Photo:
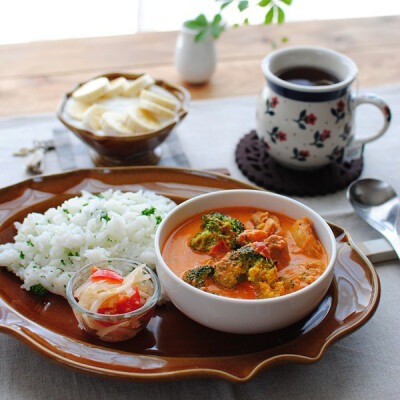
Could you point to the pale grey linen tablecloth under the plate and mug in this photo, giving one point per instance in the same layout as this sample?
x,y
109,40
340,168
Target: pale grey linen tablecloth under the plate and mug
x,y
364,365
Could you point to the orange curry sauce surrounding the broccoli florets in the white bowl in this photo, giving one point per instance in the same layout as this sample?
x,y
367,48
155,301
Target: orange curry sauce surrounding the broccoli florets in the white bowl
x,y
307,258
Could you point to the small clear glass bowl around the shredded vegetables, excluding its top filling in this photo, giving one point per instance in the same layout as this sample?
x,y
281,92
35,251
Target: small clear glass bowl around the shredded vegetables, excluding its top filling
x,y
115,327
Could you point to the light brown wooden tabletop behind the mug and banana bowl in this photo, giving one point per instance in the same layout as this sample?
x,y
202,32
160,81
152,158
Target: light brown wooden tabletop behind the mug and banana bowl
x,y
34,76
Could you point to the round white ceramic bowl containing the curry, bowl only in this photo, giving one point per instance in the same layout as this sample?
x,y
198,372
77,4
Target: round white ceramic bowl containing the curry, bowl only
x,y
240,315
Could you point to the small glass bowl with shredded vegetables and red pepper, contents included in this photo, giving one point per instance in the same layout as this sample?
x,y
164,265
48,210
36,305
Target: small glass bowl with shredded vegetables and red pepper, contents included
x,y
110,305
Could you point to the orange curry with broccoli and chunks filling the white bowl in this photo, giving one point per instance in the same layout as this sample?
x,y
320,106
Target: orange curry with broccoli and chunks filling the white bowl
x,y
246,253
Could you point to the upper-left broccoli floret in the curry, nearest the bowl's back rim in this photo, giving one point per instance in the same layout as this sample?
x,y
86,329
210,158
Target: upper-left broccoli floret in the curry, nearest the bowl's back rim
x,y
216,226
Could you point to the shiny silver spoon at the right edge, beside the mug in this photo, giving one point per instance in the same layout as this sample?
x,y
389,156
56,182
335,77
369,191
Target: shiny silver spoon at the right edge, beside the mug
x,y
377,203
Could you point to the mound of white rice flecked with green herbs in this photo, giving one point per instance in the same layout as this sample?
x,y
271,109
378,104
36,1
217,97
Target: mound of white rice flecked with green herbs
x,y
50,247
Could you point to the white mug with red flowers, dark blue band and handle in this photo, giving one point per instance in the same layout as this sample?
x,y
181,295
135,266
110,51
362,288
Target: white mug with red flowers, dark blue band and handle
x,y
308,127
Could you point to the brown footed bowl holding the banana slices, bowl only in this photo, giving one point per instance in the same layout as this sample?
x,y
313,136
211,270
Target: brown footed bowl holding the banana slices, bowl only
x,y
127,150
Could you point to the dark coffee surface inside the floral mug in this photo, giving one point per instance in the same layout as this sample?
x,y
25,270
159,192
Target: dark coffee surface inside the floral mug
x,y
307,76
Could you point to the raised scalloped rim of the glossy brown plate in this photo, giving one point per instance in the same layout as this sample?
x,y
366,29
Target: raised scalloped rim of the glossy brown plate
x,y
366,314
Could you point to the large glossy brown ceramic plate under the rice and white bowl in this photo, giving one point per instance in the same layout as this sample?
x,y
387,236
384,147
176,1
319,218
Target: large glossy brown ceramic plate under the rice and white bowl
x,y
172,346
